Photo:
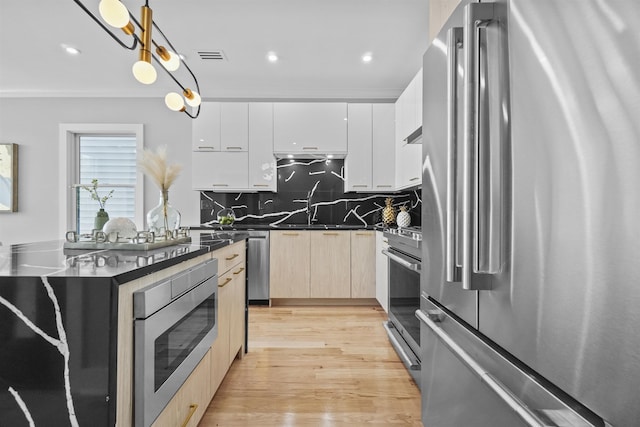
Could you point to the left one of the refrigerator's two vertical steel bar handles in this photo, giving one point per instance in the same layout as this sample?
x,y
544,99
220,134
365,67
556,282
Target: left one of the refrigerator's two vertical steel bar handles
x,y
454,43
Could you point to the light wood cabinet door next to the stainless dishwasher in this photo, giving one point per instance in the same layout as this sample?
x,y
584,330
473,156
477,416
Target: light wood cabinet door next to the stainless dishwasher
x,y
289,264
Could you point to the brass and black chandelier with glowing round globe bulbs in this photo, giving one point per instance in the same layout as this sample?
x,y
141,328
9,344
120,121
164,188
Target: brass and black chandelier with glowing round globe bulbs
x,y
116,15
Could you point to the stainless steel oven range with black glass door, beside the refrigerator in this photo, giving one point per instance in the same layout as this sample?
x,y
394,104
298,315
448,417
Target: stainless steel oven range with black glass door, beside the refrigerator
x,y
403,328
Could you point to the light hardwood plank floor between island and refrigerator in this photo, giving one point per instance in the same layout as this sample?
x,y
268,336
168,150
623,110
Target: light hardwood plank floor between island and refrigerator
x,y
316,366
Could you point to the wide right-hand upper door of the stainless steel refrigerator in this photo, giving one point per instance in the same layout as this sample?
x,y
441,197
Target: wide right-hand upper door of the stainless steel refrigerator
x,y
564,299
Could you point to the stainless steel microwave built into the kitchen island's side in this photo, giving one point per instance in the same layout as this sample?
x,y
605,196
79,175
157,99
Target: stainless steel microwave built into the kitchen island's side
x,y
176,323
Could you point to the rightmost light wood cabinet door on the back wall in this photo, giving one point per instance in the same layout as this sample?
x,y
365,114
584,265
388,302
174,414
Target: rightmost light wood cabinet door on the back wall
x,y
363,264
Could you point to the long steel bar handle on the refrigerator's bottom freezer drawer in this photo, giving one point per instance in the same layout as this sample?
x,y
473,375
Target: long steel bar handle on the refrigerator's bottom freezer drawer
x,y
496,386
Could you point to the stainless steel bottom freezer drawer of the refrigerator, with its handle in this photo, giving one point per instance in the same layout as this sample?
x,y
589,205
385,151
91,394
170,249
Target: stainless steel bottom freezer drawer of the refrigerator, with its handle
x,y
472,384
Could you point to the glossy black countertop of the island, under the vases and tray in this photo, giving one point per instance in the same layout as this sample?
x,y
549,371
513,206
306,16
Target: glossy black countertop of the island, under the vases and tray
x,y
50,258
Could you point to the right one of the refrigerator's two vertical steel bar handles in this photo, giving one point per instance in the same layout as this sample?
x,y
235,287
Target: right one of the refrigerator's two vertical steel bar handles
x,y
476,15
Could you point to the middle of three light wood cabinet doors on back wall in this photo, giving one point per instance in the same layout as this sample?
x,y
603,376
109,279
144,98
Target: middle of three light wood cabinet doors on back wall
x,y
330,264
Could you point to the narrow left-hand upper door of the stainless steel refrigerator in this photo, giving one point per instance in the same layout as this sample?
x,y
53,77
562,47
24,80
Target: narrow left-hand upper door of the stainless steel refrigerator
x,y
442,171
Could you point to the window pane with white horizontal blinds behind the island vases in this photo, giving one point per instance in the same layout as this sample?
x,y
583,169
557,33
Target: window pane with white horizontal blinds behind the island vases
x,y
112,161
